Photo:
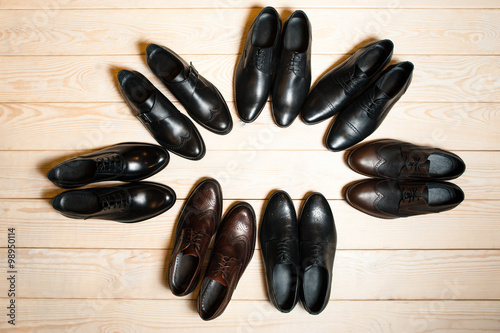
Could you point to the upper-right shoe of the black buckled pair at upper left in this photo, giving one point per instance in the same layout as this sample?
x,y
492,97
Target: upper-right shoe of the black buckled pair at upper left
x,y
201,99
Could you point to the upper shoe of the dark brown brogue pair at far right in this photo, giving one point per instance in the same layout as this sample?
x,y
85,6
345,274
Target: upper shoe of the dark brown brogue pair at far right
x,y
405,161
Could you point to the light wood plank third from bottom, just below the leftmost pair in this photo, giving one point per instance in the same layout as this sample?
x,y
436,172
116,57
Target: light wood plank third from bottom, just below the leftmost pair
x,y
39,226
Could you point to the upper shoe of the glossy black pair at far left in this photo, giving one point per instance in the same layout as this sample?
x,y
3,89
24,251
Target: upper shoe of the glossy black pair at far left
x,y
125,162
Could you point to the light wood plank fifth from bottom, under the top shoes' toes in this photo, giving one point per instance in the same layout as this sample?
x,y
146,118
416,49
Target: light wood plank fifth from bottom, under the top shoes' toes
x,y
89,125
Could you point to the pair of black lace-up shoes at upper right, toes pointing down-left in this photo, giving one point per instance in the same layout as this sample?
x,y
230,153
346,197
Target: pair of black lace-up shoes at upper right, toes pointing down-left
x,y
360,92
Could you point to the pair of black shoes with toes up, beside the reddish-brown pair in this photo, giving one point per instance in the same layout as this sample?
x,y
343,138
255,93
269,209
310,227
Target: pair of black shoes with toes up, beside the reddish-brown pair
x,y
298,252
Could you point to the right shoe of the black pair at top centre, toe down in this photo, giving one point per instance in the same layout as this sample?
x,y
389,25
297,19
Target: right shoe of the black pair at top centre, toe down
x,y
293,75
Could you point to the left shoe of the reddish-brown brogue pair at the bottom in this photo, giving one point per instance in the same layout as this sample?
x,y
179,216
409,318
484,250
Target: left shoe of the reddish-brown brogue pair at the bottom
x,y
197,224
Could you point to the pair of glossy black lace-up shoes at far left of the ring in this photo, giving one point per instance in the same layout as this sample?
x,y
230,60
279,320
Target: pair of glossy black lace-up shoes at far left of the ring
x,y
128,203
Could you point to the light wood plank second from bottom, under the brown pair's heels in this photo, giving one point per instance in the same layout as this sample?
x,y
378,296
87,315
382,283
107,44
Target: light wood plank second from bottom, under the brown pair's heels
x,y
358,275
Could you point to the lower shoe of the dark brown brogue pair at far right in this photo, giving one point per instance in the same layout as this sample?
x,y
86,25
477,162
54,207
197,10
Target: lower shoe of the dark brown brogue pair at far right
x,y
389,199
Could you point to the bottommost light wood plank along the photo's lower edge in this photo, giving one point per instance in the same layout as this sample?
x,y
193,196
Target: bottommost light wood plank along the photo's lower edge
x,y
61,315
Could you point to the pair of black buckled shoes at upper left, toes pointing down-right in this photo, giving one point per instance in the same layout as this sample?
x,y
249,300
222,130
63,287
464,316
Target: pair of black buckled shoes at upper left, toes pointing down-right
x,y
171,128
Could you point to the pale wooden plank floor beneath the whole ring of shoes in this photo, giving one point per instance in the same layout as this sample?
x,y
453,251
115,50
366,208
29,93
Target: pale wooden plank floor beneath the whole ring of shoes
x,y
59,98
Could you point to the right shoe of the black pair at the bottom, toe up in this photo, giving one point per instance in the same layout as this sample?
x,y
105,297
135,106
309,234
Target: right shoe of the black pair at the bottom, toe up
x,y
318,242
